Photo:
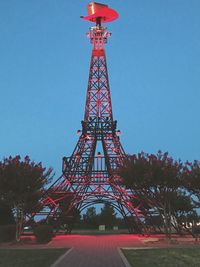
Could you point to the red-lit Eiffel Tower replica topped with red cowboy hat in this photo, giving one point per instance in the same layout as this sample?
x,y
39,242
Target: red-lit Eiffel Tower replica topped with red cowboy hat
x,y
90,175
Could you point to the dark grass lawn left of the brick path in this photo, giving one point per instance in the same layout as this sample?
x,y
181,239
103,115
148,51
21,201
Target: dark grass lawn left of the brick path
x,y
29,257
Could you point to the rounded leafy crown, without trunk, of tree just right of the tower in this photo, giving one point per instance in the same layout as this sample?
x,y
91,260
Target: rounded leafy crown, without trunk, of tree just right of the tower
x,y
151,172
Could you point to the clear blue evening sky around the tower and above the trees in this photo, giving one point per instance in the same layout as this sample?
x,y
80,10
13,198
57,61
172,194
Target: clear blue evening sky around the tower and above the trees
x,y
153,61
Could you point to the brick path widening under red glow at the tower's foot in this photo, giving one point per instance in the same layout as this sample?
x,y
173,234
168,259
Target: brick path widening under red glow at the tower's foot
x,y
94,251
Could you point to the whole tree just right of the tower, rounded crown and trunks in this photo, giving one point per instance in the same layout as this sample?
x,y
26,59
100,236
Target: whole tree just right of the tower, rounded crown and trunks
x,y
155,179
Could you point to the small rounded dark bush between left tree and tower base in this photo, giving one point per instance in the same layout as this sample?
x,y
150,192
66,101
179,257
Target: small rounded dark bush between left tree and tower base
x,y
43,233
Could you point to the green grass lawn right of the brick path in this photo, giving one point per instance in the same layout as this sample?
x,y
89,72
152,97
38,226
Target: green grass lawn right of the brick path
x,y
165,257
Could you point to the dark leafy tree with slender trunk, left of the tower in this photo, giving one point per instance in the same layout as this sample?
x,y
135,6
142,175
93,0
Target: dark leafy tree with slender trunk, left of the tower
x,y
22,183
